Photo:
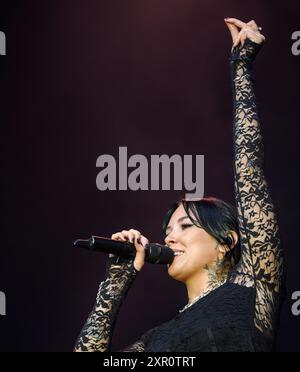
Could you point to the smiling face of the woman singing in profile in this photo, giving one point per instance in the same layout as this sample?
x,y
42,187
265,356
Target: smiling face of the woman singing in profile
x,y
200,248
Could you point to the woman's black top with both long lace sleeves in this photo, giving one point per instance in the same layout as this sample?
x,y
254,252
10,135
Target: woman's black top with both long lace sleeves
x,y
241,314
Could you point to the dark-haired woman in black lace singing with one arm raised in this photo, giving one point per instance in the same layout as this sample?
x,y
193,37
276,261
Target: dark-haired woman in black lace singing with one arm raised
x,y
229,258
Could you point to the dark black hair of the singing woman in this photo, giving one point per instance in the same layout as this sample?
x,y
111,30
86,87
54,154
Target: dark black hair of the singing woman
x,y
213,215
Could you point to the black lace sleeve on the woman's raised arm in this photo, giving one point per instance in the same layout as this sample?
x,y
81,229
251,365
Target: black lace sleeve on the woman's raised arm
x,y
261,264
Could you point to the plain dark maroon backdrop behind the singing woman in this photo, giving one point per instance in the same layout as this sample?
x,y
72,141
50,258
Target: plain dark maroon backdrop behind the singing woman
x,y
82,78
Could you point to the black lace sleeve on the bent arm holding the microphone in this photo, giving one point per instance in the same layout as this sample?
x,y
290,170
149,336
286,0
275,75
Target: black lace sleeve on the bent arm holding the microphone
x,y
97,332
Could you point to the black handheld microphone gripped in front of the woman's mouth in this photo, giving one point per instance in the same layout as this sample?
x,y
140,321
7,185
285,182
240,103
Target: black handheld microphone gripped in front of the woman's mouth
x,y
154,253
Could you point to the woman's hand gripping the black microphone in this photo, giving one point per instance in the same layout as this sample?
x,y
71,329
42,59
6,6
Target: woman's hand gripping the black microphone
x,y
140,241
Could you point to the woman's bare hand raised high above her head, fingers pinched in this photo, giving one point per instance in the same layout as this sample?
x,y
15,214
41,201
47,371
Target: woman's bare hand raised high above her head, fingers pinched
x,y
240,31
